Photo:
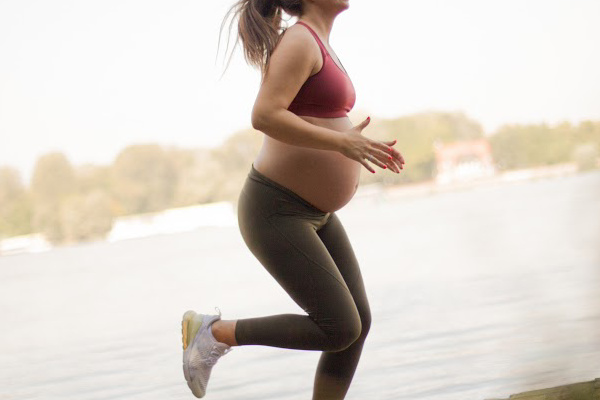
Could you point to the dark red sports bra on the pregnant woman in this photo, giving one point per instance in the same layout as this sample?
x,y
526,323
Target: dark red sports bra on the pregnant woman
x,y
329,93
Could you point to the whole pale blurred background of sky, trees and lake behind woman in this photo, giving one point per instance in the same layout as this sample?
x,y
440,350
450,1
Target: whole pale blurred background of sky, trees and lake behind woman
x,y
123,148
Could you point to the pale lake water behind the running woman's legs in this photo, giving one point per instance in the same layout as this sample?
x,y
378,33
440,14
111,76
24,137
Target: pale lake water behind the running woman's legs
x,y
475,293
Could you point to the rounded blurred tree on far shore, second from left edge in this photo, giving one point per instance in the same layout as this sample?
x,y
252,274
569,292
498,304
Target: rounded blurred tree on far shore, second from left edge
x,y
52,182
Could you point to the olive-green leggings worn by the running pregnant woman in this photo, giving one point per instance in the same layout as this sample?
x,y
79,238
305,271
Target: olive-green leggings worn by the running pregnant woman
x,y
308,253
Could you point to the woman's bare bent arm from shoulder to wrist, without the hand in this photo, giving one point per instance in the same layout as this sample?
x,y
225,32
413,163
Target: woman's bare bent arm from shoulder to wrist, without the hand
x,y
289,66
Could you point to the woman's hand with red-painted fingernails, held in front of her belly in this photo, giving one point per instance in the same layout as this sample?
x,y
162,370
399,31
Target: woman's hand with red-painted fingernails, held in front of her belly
x,y
360,148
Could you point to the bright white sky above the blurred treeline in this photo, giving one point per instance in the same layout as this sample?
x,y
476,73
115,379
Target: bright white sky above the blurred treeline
x,y
89,78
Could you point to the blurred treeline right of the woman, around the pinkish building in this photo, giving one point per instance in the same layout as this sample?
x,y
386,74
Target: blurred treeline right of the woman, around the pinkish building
x,y
513,146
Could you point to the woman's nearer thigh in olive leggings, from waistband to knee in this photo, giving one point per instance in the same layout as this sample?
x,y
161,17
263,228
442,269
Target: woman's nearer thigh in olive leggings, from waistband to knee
x,y
283,237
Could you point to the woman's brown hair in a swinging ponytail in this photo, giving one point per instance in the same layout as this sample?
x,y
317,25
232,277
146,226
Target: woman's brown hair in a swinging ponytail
x,y
259,27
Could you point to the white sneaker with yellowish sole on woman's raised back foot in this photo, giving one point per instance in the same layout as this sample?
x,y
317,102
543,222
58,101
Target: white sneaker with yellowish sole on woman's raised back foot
x,y
201,350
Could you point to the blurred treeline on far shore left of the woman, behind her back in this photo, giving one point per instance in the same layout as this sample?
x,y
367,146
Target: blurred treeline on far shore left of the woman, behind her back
x,y
69,204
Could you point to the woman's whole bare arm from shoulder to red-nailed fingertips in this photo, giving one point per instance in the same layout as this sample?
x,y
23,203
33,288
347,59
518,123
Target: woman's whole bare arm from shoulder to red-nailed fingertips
x,y
290,65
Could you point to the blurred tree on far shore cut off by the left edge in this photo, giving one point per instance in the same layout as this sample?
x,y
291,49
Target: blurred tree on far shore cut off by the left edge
x,y
15,205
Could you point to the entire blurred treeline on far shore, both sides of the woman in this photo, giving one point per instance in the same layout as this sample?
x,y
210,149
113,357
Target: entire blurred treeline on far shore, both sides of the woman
x,y
72,204
